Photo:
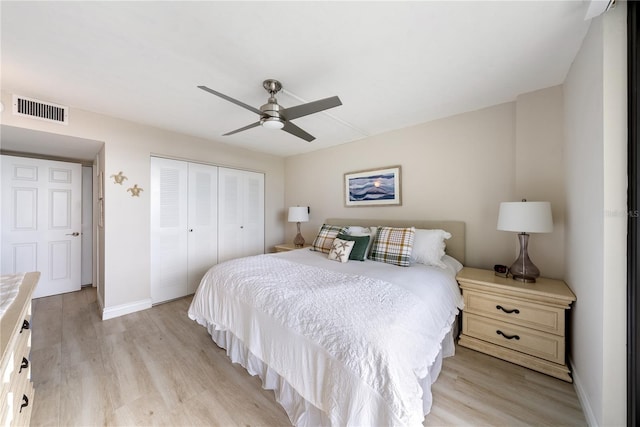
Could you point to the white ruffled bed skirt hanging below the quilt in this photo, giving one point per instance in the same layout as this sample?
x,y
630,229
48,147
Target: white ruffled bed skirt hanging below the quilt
x,y
300,411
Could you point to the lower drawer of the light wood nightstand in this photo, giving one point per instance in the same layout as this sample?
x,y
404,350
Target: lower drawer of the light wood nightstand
x,y
539,344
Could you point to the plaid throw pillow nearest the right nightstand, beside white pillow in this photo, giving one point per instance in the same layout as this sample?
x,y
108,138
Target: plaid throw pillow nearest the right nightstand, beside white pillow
x,y
393,245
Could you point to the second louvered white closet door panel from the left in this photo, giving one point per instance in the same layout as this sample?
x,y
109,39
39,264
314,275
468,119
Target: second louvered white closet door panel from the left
x,y
202,223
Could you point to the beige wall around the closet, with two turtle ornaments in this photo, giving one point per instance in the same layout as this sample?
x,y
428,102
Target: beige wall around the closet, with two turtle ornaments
x,y
128,147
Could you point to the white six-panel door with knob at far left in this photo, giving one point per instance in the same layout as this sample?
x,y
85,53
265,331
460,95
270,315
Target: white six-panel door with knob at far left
x,y
41,222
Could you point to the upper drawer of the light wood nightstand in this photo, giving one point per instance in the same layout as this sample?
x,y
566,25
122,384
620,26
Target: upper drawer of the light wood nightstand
x,y
530,315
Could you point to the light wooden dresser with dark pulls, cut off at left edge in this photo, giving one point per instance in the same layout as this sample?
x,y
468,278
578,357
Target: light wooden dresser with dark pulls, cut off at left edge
x,y
16,390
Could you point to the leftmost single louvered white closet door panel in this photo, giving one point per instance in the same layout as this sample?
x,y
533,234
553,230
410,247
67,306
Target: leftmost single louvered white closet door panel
x,y
169,238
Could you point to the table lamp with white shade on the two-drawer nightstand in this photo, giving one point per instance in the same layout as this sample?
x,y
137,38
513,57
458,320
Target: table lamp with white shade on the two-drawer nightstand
x,y
525,217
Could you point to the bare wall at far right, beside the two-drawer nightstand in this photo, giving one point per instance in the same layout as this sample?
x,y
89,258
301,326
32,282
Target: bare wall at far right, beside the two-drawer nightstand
x,y
596,217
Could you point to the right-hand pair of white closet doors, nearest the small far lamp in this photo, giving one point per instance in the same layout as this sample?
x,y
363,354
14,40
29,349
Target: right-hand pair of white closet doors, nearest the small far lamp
x,y
241,210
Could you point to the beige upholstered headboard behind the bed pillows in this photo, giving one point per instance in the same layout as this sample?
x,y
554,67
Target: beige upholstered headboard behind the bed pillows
x,y
455,245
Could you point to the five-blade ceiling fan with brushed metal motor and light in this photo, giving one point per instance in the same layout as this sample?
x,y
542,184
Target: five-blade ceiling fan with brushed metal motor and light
x,y
274,116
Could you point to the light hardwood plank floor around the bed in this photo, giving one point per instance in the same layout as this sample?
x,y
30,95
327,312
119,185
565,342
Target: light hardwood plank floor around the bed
x,y
157,367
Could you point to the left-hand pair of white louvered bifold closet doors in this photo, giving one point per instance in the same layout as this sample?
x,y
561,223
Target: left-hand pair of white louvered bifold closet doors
x,y
183,226
